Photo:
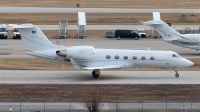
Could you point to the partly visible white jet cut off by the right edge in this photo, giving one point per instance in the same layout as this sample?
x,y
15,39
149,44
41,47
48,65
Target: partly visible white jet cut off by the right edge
x,y
170,35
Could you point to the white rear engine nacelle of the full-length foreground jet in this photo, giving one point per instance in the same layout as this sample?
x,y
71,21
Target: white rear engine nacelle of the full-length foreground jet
x,y
77,52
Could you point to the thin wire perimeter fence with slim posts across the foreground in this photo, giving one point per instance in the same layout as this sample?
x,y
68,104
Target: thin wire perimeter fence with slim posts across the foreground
x,y
117,101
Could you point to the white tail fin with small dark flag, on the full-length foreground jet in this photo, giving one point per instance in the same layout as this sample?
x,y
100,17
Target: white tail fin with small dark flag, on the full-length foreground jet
x,y
32,37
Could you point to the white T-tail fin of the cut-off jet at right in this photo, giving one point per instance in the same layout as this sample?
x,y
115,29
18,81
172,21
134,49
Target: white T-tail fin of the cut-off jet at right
x,y
167,32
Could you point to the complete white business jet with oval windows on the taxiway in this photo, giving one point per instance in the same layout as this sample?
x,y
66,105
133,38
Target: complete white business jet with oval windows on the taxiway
x,y
89,58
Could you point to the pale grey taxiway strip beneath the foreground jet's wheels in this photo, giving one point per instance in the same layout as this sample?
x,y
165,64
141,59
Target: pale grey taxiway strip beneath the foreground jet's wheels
x,y
106,77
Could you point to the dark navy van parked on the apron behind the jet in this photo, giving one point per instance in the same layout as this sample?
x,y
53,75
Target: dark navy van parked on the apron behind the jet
x,y
125,33
